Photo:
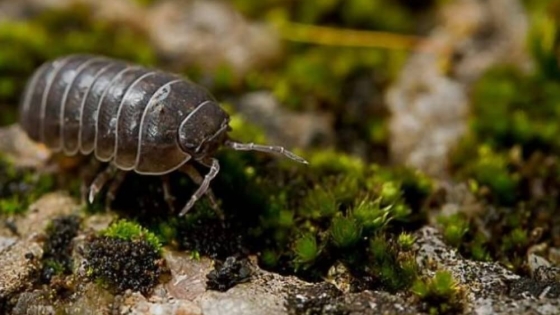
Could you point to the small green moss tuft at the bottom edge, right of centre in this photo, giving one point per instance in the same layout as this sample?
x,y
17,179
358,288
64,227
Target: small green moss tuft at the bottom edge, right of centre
x,y
440,294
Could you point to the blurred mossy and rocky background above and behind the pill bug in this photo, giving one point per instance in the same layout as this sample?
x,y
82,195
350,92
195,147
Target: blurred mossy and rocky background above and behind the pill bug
x,y
382,80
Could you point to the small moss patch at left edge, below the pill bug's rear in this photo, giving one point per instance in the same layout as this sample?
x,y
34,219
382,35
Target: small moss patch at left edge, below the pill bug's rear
x,y
19,187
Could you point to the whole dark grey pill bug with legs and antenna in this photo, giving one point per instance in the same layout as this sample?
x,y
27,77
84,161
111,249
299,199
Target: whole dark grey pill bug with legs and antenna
x,y
134,117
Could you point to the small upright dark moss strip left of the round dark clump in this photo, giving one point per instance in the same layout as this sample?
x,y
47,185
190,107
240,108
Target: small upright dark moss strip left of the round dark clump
x,y
57,249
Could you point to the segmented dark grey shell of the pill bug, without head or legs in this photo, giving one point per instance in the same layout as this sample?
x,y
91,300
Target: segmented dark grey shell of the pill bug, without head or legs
x,y
123,113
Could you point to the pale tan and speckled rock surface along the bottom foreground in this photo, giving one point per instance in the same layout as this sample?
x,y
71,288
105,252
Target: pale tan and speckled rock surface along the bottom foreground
x,y
491,289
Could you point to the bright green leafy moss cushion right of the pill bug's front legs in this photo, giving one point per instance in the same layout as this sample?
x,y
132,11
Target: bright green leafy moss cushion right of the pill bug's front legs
x,y
313,217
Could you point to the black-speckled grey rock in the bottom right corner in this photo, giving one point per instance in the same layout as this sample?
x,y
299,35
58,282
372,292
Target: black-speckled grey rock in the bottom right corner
x,y
491,289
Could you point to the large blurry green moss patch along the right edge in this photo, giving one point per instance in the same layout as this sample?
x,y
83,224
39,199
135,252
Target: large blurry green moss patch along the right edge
x,y
510,156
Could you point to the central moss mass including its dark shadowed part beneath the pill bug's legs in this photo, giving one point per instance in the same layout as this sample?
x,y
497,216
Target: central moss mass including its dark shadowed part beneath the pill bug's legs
x,y
301,220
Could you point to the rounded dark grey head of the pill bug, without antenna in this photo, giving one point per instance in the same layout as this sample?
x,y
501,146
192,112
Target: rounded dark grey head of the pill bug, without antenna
x,y
203,130
